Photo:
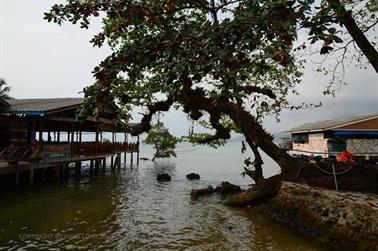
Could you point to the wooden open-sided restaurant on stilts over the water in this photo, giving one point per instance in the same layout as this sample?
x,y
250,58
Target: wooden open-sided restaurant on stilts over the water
x,y
44,138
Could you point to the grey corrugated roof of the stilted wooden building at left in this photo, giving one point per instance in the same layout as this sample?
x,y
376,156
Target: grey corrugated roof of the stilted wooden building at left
x,y
41,105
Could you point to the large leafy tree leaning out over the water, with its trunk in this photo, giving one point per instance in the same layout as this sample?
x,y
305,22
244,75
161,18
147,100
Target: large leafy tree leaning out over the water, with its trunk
x,y
229,62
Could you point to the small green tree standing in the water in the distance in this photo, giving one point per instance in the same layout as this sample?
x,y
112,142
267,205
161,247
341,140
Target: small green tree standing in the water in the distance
x,y
164,143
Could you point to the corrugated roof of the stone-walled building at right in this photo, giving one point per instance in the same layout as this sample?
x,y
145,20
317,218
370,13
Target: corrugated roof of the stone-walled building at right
x,y
332,124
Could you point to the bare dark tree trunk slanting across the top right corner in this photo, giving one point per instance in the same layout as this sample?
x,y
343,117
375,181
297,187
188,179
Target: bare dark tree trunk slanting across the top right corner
x,y
358,36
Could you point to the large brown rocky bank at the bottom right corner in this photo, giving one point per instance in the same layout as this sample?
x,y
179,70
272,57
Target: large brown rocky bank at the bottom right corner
x,y
343,220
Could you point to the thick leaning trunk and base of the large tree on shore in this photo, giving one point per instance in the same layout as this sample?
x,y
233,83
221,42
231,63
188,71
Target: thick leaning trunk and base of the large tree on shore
x,y
257,137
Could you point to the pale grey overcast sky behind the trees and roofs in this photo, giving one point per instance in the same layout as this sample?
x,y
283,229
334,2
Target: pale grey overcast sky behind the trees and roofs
x,y
42,60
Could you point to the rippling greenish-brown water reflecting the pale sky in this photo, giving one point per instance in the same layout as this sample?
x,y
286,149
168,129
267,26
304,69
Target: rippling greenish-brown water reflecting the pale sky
x,y
130,210
